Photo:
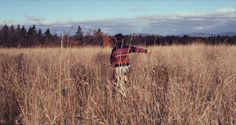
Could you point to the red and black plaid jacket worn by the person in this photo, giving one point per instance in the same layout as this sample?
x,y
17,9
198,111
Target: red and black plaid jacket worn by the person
x,y
120,55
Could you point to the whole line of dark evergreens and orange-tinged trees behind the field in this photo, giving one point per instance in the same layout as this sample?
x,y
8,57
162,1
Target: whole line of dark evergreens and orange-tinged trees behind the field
x,y
19,36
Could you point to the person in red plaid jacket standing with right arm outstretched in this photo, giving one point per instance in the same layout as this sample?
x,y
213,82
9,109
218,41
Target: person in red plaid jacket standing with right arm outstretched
x,y
119,59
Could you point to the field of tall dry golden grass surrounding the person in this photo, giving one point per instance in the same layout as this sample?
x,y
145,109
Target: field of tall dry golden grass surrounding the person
x,y
179,85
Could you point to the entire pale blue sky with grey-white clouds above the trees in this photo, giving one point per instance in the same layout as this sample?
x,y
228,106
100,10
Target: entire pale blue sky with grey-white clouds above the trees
x,y
126,16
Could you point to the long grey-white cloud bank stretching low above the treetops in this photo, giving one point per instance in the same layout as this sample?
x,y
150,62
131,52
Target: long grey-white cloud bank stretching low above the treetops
x,y
222,20
